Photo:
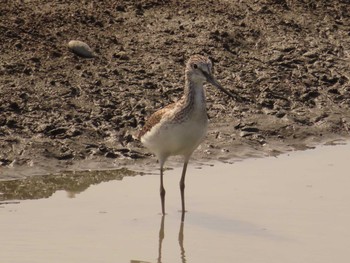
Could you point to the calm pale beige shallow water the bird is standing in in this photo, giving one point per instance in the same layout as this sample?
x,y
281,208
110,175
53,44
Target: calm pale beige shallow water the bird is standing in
x,y
294,208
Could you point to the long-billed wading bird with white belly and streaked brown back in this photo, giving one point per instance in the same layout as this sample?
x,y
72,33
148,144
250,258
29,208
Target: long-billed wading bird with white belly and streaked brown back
x,y
179,128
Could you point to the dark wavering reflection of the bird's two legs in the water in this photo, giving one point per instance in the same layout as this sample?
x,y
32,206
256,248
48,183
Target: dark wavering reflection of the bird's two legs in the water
x,y
161,238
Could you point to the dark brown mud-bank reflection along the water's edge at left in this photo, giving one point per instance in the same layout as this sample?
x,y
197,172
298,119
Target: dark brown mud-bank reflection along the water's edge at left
x,y
37,187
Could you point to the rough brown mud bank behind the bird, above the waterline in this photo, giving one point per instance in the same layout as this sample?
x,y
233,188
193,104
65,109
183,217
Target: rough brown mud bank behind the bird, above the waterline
x,y
289,61
